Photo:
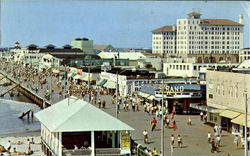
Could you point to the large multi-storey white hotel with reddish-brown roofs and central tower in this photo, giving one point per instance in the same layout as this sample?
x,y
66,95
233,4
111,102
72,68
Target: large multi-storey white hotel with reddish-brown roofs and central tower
x,y
209,40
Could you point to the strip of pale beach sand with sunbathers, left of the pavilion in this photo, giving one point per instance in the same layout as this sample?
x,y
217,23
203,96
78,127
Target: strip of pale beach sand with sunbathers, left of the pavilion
x,y
23,147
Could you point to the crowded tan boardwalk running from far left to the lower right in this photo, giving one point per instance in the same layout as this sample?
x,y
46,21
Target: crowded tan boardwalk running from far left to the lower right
x,y
194,137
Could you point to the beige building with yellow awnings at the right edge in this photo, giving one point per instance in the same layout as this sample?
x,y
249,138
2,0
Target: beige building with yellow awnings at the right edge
x,y
226,92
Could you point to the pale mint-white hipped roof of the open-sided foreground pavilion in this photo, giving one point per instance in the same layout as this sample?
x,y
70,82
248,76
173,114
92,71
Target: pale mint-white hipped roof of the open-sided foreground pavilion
x,y
78,116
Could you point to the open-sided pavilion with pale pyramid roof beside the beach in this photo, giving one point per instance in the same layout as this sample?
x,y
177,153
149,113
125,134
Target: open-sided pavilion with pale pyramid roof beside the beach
x,y
76,127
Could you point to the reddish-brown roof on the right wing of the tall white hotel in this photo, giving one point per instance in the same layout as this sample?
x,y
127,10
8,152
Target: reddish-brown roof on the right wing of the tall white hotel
x,y
219,22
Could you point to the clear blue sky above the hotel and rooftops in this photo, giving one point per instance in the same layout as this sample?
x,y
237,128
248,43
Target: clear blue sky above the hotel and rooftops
x,y
120,23
